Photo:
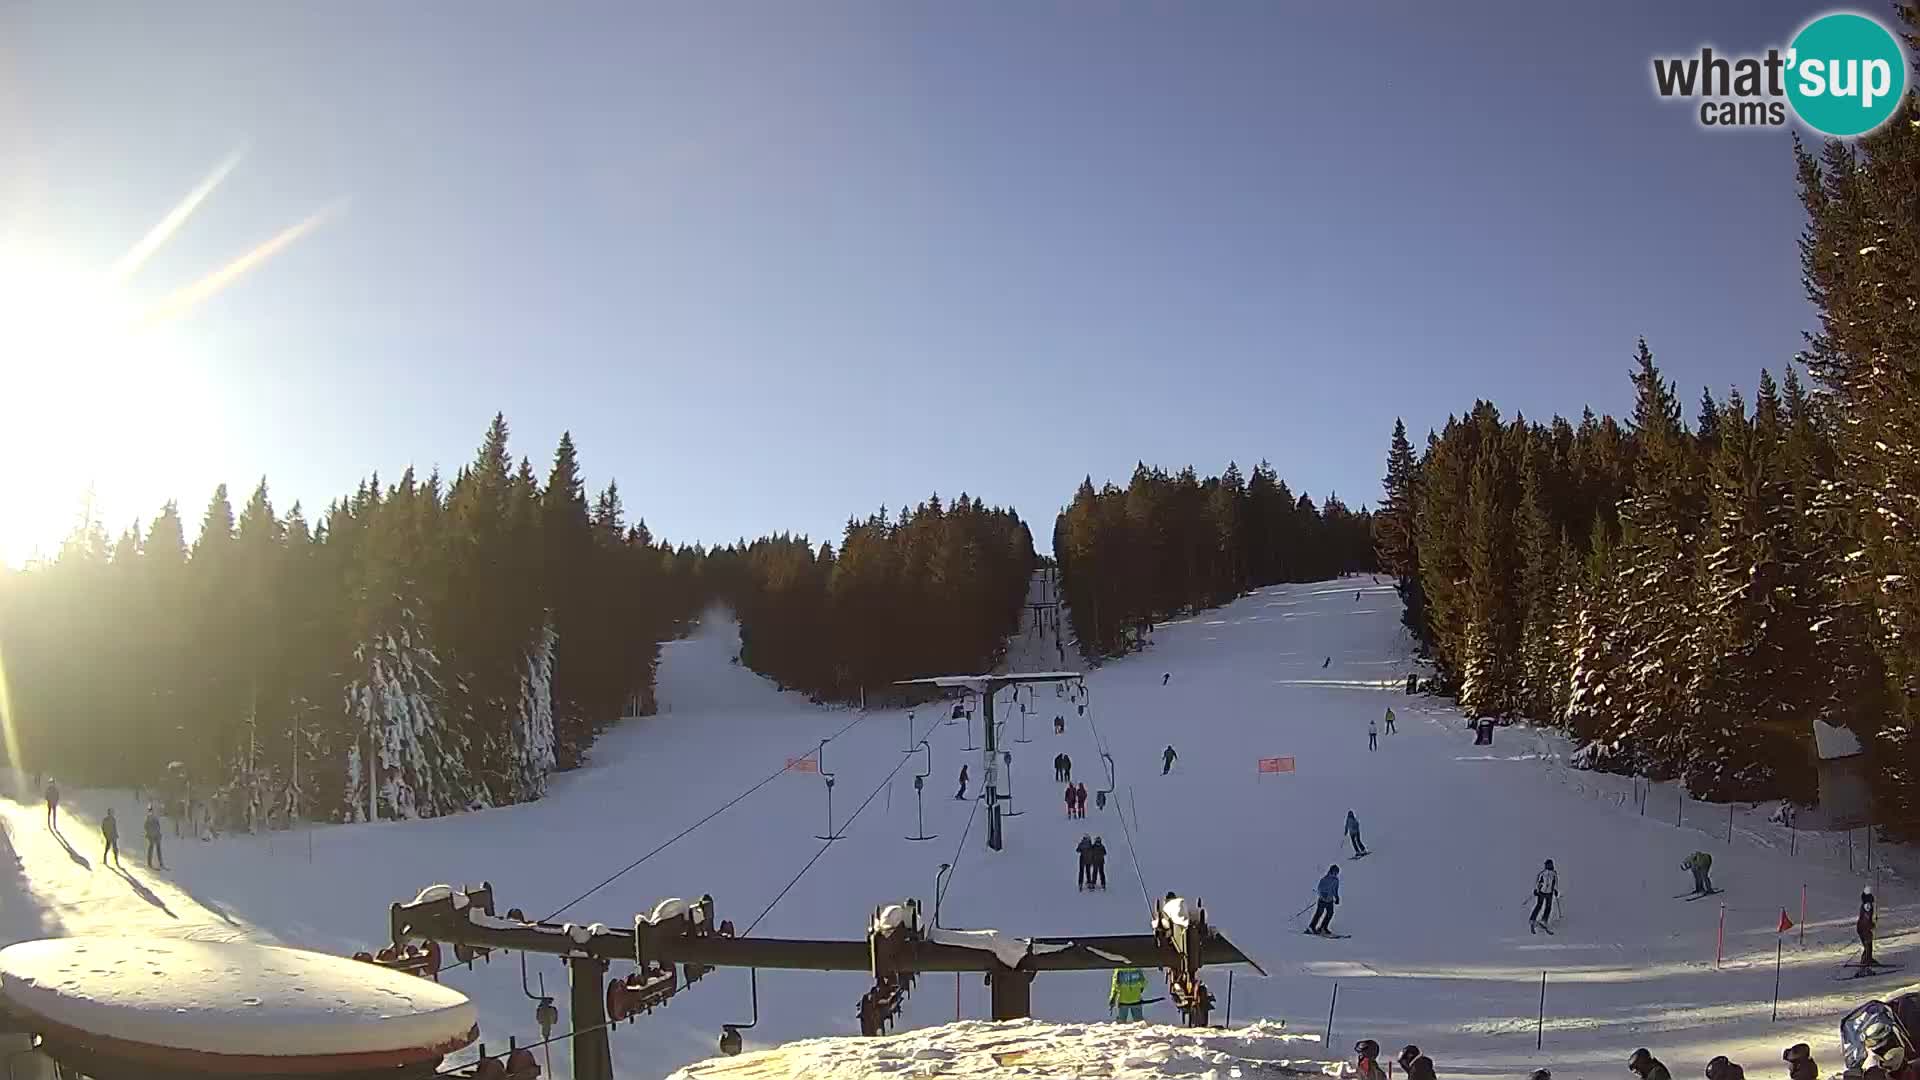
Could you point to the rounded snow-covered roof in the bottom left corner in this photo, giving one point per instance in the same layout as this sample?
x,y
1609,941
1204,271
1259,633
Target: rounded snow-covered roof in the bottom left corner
x,y
224,998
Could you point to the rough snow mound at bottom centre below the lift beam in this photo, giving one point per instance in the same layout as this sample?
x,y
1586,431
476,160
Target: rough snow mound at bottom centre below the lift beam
x,y
1034,1050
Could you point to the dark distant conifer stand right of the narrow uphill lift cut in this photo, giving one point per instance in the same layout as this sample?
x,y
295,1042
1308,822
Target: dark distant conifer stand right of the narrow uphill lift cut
x,y
1174,543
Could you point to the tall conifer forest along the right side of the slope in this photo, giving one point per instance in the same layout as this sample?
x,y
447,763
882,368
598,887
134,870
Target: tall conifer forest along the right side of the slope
x,y
1689,599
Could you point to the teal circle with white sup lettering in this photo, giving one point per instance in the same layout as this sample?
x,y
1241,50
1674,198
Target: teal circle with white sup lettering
x,y
1846,74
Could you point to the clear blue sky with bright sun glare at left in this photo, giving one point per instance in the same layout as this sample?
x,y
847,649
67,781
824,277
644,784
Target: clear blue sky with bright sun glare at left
x,y
782,264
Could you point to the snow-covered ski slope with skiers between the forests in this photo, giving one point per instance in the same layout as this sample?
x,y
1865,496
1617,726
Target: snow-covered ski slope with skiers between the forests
x,y
1439,954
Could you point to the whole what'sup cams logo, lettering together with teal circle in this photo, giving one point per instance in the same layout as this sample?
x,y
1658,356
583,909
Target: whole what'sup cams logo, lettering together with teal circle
x,y
1842,76
